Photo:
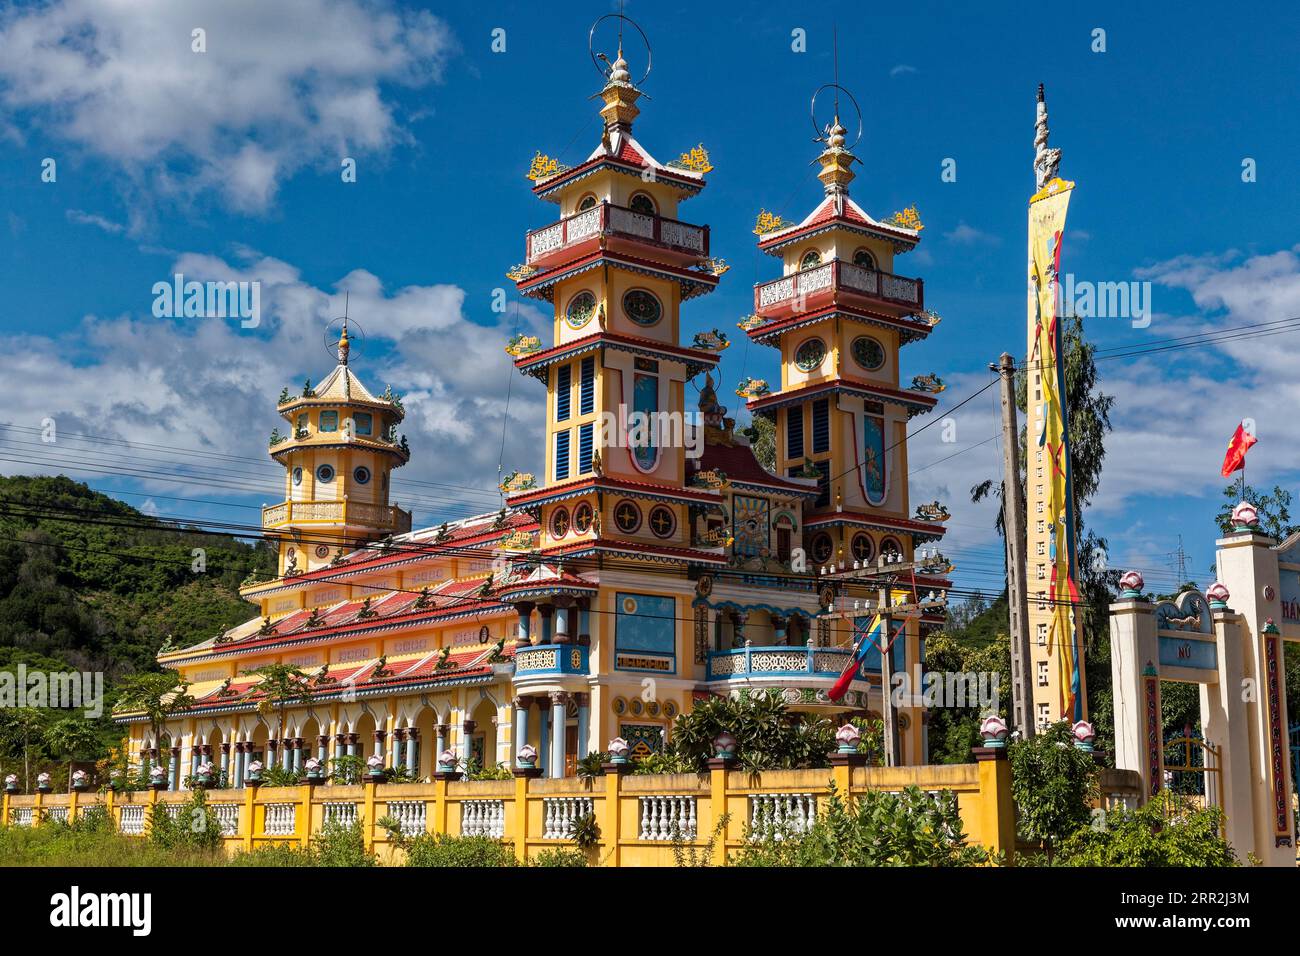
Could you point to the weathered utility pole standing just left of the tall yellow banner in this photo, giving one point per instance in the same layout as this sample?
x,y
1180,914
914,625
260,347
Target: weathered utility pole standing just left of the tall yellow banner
x,y
1013,524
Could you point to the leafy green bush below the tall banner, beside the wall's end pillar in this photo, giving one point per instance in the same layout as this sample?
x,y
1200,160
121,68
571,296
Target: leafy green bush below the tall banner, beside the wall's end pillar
x,y
1054,785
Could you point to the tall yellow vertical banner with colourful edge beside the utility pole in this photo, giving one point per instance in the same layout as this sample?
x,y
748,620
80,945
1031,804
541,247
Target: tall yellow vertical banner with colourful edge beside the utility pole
x,y
1065,634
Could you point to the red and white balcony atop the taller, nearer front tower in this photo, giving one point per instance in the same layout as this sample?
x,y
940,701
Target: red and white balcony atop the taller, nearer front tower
x,y
621,228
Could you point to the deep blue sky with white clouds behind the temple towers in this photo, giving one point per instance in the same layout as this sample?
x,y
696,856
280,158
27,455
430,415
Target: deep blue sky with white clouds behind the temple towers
x,y
227,165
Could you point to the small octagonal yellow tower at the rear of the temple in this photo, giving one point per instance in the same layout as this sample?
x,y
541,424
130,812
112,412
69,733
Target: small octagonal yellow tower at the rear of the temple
x,y
341,449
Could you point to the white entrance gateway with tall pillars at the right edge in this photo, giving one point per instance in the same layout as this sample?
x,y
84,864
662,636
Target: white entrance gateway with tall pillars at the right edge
x,y
1234,655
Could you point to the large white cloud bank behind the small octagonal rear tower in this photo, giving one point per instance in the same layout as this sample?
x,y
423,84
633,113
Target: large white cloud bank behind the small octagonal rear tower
x,y
210,384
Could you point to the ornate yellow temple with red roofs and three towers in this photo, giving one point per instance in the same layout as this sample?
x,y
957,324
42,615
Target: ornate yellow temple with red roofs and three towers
x,y
645,569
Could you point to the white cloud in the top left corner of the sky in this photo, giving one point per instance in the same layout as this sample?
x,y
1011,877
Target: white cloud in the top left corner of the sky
x,y
281,86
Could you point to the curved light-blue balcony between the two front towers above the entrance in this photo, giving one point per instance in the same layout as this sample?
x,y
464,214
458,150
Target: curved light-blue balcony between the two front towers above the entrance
x,y
803,672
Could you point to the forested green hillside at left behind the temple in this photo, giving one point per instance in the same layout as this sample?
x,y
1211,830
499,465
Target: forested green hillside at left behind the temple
x,y
92,585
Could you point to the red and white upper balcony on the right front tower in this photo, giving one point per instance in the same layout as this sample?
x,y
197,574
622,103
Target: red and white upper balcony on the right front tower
x,y
838,284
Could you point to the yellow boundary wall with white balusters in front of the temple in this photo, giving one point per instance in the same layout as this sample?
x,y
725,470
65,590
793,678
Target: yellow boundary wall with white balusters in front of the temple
x,y
635,814
